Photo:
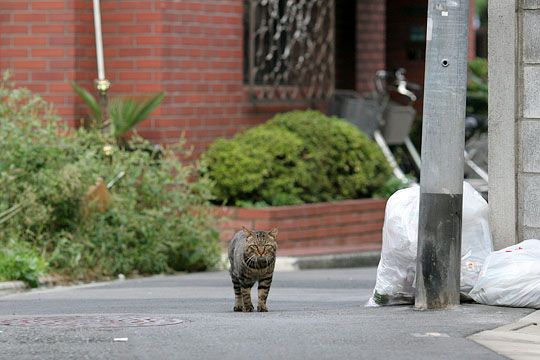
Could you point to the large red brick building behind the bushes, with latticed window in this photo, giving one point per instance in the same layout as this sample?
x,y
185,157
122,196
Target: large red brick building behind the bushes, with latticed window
x,y
197,52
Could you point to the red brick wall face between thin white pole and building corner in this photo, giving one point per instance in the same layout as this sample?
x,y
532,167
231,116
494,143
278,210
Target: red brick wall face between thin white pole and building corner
x,y
133,47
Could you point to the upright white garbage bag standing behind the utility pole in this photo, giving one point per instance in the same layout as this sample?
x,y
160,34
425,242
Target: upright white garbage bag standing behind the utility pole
x,y
396,273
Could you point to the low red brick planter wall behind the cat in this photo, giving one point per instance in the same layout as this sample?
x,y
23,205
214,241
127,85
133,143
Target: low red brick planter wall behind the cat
x,y
323,228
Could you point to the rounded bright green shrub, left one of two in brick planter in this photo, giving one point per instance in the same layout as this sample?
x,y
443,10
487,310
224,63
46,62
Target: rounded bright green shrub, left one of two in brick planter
x,y
263,164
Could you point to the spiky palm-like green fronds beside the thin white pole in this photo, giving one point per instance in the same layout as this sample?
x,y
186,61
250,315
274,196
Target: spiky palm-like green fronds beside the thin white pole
x,y
123,113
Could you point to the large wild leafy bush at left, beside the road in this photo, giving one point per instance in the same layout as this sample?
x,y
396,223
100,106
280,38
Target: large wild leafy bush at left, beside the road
x,y
158,218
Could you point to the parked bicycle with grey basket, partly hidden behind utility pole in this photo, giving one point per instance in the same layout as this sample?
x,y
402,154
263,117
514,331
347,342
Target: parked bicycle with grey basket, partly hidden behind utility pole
x,y
387,116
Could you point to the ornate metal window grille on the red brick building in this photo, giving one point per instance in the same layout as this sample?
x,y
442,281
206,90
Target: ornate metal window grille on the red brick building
x,y
290,45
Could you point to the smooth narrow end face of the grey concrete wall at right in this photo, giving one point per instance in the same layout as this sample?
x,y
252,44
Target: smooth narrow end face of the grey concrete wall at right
x,y
502,43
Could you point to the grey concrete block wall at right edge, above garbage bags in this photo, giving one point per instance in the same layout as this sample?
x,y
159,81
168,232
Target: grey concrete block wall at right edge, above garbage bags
x,y
514,120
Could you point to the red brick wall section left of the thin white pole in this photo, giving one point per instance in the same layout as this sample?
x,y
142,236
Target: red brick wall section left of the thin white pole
x,y
46,44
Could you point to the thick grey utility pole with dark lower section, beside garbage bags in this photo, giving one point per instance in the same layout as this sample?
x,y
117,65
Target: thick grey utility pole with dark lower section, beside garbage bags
x,y
443,134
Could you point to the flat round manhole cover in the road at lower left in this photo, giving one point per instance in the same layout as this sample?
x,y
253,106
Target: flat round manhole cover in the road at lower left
x,y
92,321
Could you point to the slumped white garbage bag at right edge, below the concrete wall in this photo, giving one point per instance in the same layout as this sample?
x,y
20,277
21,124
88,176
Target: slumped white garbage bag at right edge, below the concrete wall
x,y
511,277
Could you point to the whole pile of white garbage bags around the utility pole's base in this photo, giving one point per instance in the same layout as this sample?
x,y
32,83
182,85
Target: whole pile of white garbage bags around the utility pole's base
x,y
492,278
